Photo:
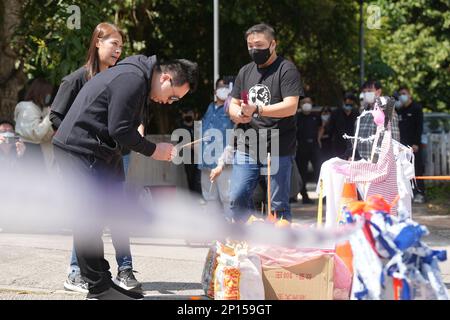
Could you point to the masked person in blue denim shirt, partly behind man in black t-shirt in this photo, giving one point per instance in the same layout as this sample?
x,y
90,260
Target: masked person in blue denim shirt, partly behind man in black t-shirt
x,y
215,172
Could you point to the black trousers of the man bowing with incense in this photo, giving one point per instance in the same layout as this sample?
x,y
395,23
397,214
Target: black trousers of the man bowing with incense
x,y
102,186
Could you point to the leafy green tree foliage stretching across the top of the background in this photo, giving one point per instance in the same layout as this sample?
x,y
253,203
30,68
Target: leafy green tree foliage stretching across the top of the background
x,y
321,37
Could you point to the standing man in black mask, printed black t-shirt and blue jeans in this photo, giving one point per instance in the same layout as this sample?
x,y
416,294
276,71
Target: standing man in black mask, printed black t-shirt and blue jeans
x,y
264,102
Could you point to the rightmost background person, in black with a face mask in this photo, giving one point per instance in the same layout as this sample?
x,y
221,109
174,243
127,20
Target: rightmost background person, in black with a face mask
x,y
410,122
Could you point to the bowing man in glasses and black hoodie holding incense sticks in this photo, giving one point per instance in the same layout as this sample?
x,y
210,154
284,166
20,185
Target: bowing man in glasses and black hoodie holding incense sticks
x,y
103,118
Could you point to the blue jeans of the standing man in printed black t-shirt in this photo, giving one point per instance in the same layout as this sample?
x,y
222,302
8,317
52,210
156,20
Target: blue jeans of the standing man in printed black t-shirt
x,y
244,179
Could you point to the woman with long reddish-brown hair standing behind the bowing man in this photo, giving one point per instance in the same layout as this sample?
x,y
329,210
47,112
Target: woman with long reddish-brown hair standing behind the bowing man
x,y
104,52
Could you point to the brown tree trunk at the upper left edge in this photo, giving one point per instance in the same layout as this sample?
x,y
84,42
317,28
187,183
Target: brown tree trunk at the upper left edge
x,y
12,79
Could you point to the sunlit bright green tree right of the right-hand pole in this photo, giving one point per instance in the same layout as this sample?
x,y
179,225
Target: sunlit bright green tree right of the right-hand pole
x,y
413,48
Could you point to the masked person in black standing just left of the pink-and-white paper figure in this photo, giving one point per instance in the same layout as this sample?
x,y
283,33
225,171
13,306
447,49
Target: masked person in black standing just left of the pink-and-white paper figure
x,y
342,121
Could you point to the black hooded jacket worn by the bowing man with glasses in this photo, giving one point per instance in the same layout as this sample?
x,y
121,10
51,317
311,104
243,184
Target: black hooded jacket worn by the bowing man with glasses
x,y
107,112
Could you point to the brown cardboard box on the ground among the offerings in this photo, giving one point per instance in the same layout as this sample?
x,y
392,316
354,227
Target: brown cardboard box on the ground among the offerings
x,y
310,279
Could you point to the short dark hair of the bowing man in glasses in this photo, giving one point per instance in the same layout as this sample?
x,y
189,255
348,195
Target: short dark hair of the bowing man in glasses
x,y
182,70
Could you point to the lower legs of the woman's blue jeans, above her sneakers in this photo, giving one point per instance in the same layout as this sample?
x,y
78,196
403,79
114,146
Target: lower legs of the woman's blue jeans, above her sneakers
x,y
121,243
